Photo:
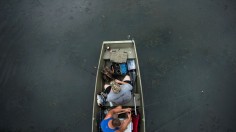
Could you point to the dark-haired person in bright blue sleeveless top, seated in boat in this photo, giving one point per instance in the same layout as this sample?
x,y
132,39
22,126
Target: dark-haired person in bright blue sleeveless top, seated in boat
x,y
111,124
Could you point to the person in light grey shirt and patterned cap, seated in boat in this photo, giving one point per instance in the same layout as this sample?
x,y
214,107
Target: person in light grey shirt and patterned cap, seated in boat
x,y
119,92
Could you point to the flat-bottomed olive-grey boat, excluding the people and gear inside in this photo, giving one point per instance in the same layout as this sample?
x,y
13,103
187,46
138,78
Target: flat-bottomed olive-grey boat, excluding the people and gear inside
x,y
137,103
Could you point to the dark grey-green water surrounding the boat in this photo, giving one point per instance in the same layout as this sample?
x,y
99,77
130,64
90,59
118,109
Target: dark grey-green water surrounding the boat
x,y
186,49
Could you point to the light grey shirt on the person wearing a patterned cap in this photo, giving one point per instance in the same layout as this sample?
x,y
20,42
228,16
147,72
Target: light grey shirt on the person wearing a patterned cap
x,y
123,97
